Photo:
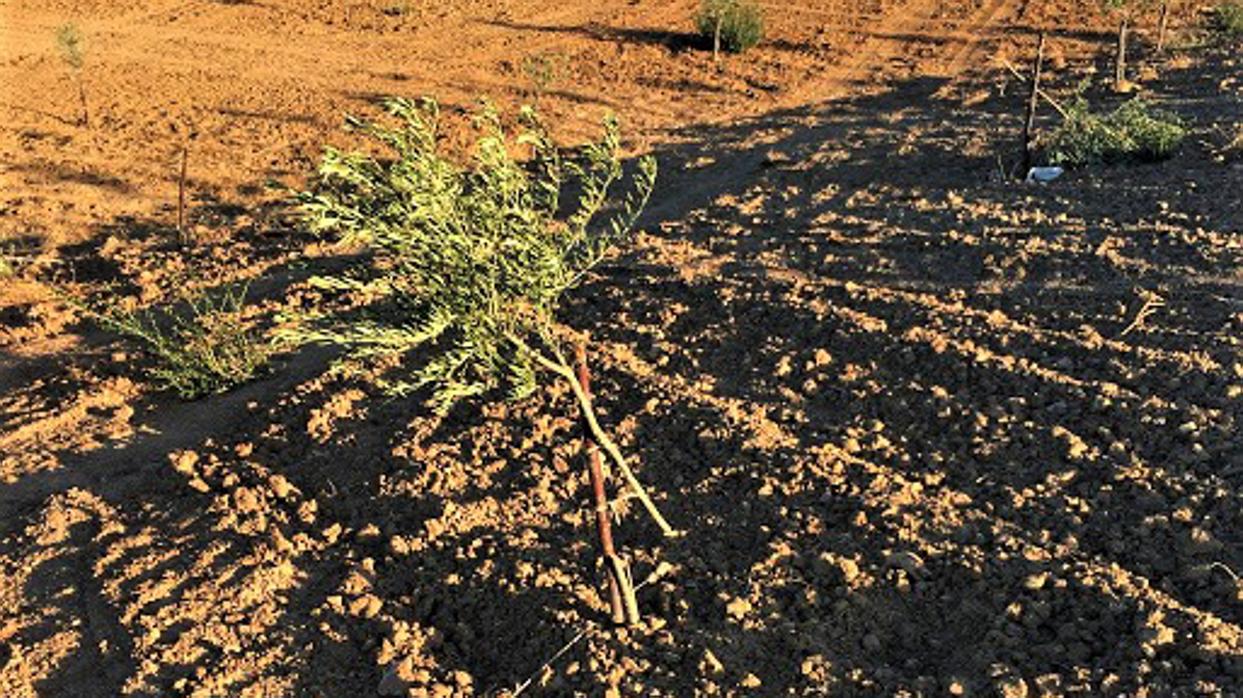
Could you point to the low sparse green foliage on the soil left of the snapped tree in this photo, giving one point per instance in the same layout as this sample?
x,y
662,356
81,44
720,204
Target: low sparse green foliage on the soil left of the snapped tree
x,y
206,348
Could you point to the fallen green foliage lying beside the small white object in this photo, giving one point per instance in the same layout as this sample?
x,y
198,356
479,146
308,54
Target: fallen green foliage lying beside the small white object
x,y
1134,132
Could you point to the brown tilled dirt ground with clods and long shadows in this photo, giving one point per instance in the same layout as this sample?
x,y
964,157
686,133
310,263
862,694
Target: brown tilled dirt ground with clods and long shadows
x,y
894,399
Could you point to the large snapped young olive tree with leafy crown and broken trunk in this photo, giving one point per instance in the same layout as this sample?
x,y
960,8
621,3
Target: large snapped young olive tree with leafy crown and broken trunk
x,y
470,264
